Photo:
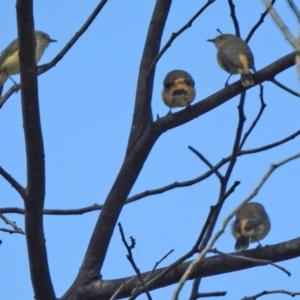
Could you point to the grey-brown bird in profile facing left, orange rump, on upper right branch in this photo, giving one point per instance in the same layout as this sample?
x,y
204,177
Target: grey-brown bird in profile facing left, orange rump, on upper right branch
x,y
235,57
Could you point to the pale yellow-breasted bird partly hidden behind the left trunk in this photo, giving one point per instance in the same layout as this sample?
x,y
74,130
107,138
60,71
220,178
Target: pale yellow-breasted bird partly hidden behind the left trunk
x,y
9,59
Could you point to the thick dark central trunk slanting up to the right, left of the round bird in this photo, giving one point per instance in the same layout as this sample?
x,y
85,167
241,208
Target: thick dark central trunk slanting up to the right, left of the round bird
x,y
141,140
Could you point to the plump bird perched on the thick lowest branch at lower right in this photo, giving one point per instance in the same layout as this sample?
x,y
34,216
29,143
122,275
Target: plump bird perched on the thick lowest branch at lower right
x,y
251,225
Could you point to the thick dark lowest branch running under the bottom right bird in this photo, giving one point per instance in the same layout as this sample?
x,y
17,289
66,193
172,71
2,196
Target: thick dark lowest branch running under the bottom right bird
x,y
209,266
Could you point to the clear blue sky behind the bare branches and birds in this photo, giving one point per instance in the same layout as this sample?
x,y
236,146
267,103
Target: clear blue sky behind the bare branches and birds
x,y
86,105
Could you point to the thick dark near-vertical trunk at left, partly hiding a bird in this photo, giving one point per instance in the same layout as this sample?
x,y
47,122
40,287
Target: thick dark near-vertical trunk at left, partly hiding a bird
x,y
35,190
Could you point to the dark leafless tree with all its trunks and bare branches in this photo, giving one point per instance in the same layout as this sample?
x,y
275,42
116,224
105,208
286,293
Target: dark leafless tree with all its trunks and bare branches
x,y
145,131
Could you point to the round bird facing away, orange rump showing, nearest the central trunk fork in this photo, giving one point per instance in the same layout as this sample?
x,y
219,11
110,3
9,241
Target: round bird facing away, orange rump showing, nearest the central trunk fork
x,y
179,89
